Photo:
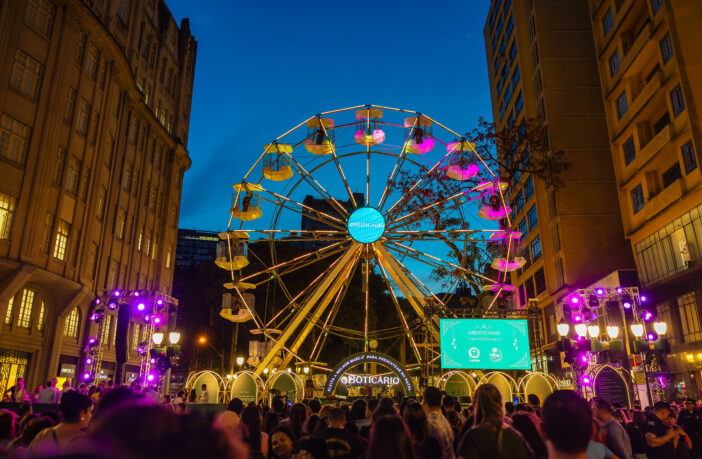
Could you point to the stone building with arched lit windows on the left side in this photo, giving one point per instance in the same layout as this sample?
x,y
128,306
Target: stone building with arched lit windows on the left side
x,y
94,114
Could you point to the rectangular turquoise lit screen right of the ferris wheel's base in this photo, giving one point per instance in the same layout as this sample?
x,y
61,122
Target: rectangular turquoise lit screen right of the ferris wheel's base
x,y
490,344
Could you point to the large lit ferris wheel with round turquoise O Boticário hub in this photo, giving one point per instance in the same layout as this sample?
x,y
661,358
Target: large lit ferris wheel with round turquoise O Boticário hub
x,y
355,193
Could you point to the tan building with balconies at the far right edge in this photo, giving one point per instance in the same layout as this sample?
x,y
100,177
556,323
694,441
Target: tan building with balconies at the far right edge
x,y
648,54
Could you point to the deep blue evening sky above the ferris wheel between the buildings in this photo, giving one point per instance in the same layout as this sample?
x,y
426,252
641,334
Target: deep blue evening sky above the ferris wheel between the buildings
x,y
265,66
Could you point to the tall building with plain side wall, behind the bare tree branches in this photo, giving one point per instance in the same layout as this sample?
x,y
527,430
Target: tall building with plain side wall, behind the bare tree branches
x,y
542,65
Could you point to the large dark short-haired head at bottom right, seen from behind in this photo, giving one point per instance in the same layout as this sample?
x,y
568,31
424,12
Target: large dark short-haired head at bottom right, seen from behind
x,y
566,422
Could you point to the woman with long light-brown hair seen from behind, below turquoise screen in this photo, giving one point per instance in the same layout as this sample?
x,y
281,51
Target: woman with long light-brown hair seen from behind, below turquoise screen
x,y
490,436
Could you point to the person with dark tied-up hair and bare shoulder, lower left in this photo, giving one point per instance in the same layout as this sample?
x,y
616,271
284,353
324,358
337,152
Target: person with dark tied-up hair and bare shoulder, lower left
x,y
76,410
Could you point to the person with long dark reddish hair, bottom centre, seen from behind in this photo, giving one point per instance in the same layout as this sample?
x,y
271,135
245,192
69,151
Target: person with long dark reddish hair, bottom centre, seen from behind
x,y
390,439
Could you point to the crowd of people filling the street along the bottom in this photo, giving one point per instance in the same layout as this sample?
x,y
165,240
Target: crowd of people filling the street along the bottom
x,y
106,421
